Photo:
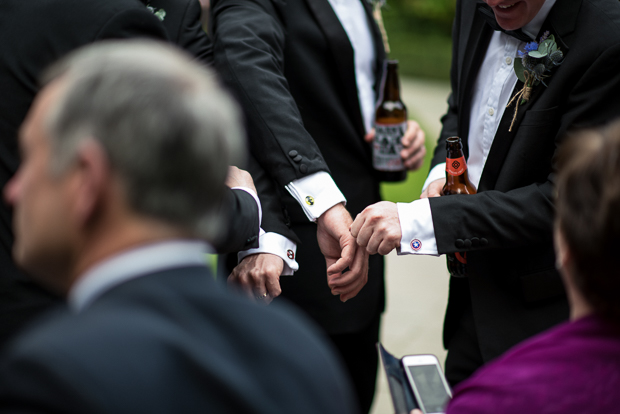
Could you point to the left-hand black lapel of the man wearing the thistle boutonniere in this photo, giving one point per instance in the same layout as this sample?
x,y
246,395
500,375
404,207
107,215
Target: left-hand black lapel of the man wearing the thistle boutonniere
x,y
475,47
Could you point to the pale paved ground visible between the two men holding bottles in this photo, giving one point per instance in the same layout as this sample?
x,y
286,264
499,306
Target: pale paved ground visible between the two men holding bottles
x,y
417,286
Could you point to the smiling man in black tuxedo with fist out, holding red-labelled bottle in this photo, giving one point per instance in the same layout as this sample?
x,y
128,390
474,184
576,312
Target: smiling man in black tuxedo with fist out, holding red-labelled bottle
x,y
513,290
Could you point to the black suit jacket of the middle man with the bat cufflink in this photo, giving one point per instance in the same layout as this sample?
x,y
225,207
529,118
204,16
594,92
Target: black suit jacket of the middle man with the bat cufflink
x,y
291,66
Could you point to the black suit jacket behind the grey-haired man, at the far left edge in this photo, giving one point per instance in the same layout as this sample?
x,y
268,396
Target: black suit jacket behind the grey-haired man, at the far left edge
x,y
35,35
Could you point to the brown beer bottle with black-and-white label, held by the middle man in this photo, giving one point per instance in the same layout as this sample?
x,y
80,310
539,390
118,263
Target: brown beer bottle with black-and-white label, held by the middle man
x,y
390,126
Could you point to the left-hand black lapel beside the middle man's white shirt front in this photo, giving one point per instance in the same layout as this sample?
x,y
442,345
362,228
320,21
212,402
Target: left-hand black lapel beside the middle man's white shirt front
x,y
342,52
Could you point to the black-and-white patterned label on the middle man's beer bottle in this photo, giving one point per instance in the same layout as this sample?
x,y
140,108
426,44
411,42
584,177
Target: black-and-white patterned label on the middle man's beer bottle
x,y
387,145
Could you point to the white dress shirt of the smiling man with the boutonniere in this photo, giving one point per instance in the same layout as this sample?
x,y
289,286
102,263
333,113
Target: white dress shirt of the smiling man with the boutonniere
x,y
489,100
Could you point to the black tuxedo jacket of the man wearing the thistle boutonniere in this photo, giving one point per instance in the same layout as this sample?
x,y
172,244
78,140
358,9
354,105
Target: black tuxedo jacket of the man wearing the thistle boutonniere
x,y
506,229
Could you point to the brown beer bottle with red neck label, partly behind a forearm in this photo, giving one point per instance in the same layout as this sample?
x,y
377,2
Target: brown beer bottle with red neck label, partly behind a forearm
x,y
457,182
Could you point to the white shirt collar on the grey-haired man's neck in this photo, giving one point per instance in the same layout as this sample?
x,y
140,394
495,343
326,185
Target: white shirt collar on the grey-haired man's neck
x,y
134,263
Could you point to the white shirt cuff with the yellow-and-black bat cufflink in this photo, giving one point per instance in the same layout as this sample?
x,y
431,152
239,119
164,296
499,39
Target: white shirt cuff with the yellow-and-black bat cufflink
x,y
316,194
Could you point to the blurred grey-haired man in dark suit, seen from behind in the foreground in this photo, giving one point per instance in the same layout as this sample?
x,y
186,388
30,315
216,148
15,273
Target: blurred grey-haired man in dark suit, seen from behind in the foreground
x,y
126,151
